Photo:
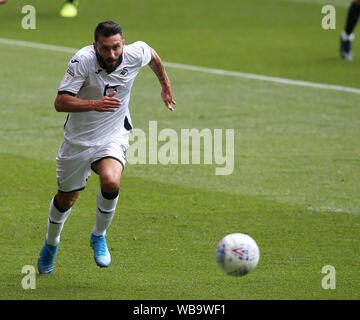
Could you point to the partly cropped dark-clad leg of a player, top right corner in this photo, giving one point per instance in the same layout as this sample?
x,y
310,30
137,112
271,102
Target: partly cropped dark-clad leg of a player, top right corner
x,y
347,35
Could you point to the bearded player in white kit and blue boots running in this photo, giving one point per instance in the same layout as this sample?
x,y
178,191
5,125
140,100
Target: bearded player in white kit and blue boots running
x,y
95,92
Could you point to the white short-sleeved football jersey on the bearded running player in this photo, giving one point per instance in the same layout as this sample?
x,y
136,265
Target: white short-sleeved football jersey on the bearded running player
x,y
85,79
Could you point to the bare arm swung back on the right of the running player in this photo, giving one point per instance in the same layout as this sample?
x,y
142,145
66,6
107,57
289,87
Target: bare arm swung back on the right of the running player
x,y
157,66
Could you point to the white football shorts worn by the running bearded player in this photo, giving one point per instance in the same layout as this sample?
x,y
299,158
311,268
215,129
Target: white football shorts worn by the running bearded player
x,y
74,162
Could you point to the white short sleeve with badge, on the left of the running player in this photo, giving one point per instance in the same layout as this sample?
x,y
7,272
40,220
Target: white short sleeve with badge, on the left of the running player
x,y
75,76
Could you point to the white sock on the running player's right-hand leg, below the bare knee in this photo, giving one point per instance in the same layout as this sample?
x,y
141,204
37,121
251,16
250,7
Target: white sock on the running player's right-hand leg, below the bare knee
x,y
104,213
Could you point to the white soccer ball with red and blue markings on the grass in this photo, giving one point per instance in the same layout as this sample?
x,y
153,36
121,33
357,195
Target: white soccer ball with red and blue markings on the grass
x,y
237,254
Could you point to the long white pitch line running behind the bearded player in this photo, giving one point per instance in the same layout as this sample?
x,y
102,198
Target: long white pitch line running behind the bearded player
x,y
199,69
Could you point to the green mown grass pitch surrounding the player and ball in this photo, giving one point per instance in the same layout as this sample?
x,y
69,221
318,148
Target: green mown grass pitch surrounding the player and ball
x,y
295,185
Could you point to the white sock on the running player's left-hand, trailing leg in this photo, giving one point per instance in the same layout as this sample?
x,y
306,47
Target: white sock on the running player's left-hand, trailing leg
x,y
55,224
